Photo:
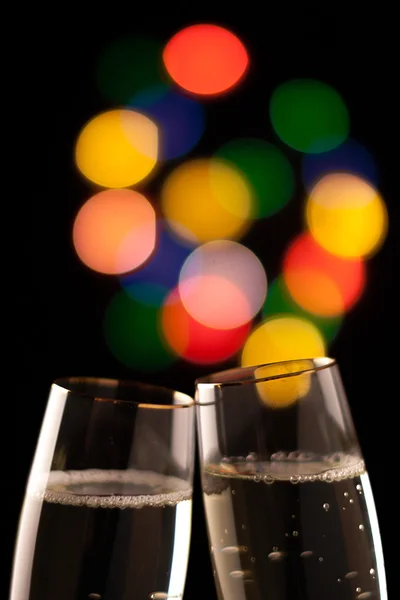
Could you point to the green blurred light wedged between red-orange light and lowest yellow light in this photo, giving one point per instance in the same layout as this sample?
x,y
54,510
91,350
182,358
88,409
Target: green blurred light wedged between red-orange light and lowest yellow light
x,y
280,302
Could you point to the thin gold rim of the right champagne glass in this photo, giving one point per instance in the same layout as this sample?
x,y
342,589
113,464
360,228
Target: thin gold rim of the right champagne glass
x,y
246,375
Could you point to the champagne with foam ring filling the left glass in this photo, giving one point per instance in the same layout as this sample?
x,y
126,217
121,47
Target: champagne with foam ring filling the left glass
x,y
103,535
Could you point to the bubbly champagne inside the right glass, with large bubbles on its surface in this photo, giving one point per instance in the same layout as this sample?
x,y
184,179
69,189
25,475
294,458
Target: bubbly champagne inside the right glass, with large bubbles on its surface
x,y
293,530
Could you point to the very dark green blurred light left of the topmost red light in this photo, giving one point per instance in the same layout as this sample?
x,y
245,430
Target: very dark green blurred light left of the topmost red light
x,y
128,65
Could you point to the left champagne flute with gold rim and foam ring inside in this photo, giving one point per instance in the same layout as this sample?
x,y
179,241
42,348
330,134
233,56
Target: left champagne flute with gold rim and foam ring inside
x,y
107,509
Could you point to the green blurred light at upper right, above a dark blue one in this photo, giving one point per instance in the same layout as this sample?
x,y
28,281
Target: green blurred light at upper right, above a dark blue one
x,y
309,115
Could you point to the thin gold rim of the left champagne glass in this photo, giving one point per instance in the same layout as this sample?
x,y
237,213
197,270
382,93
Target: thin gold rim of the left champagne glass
x,y
95,388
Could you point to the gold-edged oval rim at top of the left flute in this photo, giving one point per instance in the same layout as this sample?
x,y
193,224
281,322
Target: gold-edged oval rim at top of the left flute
x,y
68,383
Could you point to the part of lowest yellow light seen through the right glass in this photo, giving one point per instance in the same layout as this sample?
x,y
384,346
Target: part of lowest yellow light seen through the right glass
x,y
287,388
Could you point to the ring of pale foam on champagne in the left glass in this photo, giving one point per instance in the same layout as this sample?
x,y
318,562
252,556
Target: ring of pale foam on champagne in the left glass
x,y
95,488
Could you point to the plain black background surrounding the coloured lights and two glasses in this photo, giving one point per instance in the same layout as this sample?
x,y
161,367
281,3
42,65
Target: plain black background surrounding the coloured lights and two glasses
x,y
58,304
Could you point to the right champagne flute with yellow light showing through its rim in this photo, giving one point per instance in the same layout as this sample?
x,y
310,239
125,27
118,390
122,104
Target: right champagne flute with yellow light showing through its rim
x,y
288,503
